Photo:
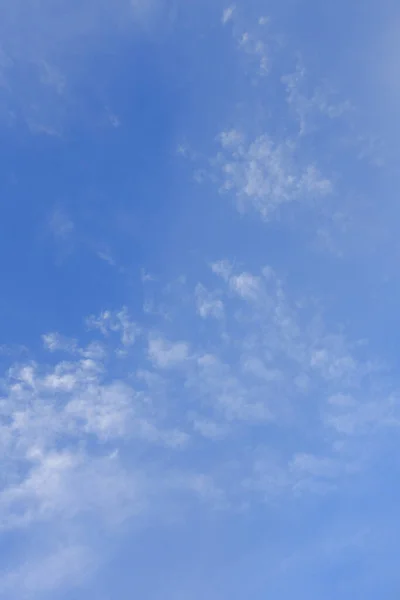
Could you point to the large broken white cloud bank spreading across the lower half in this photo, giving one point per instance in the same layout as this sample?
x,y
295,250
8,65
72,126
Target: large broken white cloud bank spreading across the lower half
x,y
86,438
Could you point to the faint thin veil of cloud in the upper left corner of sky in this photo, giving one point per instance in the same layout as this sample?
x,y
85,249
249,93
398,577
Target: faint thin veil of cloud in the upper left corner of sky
x,y
45,59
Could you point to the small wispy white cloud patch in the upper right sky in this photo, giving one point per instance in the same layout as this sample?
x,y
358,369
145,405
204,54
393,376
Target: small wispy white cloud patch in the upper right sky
x,y
267,160
